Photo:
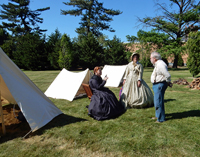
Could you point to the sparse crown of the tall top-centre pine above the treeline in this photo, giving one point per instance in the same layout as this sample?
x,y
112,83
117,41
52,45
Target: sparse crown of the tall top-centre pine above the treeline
x,y
94,17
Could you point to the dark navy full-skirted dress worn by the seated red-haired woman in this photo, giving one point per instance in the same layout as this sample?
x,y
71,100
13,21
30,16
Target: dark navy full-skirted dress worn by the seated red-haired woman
x,y
104,104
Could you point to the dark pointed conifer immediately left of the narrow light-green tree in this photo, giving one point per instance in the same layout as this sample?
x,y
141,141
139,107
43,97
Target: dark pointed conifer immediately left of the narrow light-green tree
x,y
52,48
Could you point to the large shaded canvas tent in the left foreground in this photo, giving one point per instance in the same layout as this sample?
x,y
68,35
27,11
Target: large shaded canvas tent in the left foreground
x,y
16,87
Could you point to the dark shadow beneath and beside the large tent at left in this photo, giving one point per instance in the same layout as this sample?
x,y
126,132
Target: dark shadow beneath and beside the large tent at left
x,y
20,130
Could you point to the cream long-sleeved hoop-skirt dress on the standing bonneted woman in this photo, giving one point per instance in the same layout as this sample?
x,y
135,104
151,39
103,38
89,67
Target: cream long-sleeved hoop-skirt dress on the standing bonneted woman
x,y
133,96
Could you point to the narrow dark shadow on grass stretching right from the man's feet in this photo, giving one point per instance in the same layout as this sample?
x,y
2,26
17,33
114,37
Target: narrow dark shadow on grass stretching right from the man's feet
x,y
180,115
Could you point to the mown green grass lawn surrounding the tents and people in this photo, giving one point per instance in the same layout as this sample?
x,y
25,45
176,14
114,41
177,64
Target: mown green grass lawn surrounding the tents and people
x,y
134,133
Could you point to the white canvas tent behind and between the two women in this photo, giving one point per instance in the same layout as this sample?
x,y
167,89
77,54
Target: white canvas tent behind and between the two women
x,y
114,73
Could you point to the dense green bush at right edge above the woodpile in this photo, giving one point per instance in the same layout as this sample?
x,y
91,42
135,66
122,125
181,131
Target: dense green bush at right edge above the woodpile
x,y
193,49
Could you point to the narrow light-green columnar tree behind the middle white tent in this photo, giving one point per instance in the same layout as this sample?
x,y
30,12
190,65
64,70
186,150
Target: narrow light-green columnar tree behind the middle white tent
x,y
65,51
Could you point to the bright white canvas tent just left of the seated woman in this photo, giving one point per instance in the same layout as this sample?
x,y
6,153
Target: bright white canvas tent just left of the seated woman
x,y
67,85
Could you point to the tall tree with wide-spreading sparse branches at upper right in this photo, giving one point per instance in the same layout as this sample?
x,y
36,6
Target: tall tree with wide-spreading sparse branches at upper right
x,y
176,23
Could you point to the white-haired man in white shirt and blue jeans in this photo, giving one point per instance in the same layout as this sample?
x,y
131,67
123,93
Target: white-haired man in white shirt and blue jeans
x,y
161,79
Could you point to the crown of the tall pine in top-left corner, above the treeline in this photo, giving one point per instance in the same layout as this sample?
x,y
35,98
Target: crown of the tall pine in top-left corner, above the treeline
x,y
21,20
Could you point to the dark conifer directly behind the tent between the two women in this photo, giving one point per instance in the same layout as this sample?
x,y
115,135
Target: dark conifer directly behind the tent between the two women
x,y
115,52
